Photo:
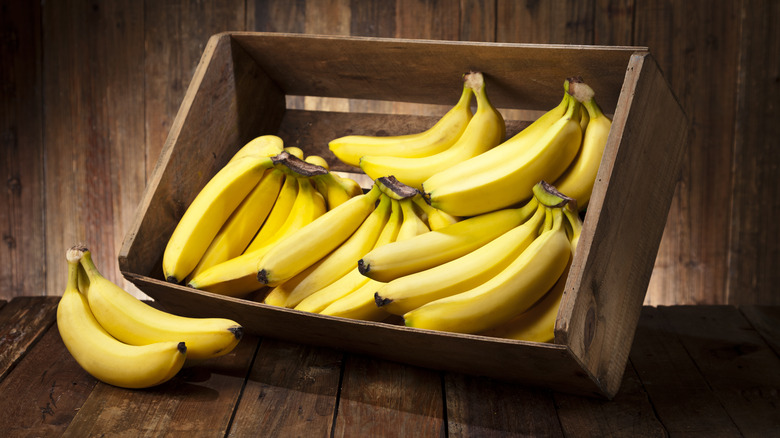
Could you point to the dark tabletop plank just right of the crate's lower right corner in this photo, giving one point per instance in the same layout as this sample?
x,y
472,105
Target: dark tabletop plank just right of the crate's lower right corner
x,y
681,396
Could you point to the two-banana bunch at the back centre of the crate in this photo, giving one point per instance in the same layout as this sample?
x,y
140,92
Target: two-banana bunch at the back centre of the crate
x,y
411,159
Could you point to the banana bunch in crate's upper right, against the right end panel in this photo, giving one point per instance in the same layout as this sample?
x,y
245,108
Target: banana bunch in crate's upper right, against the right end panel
x,y
564,146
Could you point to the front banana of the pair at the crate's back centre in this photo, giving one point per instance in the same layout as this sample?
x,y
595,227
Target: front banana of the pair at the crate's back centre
x,y
484,131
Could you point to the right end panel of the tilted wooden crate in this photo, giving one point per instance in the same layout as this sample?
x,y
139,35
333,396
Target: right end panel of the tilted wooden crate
x,y
624,223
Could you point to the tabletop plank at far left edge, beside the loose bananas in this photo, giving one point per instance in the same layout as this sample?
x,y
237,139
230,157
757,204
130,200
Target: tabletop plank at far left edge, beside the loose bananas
x,y
22,322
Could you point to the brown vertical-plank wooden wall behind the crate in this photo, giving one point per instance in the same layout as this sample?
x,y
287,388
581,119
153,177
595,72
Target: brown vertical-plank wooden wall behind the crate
x,y
90,88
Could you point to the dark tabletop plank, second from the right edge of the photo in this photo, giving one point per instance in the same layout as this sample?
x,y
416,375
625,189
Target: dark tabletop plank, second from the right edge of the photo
x,y
742,370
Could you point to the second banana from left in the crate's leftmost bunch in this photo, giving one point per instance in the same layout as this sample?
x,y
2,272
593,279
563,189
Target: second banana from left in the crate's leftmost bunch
x,y
243,224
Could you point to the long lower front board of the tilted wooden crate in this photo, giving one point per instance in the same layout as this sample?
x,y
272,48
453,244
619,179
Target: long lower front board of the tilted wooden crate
x,y
535,364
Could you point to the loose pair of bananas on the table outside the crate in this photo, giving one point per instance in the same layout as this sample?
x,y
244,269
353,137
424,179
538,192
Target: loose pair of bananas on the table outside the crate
x,y
125,342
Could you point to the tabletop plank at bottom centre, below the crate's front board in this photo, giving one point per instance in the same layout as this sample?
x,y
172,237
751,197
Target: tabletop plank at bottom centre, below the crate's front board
x,y
381,398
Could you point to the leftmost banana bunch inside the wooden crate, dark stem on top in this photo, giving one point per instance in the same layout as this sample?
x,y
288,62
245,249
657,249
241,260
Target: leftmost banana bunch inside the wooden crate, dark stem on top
x,y
263,193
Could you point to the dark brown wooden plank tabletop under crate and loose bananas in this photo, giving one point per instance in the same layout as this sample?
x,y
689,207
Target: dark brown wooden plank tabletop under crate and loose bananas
x,y
694,370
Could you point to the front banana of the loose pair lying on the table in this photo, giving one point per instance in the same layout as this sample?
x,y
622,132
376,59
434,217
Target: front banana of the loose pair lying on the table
x,y
103,356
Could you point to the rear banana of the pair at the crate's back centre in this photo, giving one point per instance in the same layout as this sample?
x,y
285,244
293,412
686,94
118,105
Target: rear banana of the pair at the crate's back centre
x,y
439,137
